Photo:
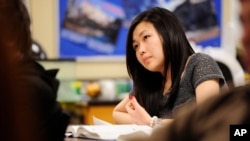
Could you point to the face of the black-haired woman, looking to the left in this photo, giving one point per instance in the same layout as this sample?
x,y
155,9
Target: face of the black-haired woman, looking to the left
x,y
147,44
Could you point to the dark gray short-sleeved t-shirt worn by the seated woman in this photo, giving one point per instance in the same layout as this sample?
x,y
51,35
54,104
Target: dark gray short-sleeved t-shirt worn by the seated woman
x,y
201,67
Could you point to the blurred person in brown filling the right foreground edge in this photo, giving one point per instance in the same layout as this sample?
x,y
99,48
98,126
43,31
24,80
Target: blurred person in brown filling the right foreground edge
x,y
211,120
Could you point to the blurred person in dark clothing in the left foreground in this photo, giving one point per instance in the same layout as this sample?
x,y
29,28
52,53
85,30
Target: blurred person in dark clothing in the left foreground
x,y
35,88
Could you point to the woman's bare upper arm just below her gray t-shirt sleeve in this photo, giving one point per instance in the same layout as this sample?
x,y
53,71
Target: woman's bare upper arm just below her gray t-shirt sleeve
x,y
207,89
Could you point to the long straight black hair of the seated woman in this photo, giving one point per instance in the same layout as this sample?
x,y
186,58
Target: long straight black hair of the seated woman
x,y
148,86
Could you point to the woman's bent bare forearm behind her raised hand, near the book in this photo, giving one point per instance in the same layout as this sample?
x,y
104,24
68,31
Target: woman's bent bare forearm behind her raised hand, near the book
x,y
120,113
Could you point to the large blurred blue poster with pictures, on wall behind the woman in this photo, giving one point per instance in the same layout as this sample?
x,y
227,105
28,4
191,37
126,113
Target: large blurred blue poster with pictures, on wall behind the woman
x,y
89,28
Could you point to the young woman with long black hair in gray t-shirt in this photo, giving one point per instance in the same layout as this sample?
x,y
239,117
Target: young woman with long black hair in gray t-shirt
x,y
166,72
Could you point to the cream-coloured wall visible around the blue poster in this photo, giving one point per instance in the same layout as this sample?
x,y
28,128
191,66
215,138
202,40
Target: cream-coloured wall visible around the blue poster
x,y
44,30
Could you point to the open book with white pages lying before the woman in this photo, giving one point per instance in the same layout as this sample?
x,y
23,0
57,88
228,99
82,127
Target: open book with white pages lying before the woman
x,y
105,131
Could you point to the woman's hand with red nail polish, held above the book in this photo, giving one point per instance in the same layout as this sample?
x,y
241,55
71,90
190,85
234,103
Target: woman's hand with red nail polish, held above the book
x,y
137,113
